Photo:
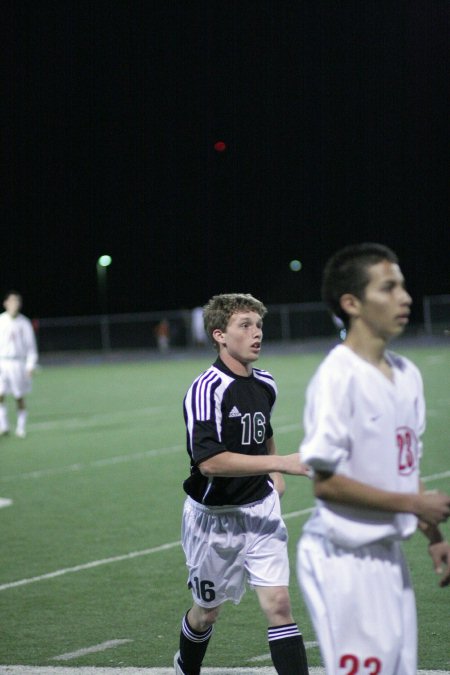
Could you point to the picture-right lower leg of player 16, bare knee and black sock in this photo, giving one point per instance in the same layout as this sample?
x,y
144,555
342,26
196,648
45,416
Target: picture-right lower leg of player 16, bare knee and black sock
x,y
285,640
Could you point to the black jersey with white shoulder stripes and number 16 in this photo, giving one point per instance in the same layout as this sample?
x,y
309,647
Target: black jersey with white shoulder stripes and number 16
x,y
224,411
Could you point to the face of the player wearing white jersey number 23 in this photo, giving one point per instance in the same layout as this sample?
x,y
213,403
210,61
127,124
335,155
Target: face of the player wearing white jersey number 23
x,y
386,305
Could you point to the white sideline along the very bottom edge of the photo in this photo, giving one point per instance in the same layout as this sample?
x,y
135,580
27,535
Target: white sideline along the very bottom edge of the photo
x,y
92,670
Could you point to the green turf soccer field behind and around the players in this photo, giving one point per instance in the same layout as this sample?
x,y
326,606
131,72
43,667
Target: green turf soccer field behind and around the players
x,y
99,477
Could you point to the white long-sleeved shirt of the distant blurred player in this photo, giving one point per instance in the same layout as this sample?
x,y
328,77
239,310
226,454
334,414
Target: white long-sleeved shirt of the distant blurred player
x,y
17,340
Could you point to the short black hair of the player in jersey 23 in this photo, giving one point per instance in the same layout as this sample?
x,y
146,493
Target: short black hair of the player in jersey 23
x,y
347,272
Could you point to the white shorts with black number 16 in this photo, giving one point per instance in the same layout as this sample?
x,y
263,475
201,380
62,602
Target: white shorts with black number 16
x,y
227,546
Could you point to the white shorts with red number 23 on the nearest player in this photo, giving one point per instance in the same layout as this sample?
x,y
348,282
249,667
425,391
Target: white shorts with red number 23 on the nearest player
x,y
362,606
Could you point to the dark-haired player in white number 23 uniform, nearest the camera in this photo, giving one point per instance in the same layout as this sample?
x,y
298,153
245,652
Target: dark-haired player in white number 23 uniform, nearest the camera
x,y
364,418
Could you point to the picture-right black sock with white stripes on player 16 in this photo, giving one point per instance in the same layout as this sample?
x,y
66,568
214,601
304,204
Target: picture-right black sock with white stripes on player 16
x,y
287,650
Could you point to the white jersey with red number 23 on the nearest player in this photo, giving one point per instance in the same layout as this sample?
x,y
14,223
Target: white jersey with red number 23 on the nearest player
x,y
360,424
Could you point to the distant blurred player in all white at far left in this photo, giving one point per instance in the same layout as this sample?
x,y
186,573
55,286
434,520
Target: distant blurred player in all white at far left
x,y
18,359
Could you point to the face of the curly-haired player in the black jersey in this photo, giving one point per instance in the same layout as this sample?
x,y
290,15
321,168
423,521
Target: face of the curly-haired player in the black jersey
x,y
243,337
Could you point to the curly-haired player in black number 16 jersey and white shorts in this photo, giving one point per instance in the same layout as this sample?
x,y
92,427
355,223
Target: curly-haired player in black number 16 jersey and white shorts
x,y
232,528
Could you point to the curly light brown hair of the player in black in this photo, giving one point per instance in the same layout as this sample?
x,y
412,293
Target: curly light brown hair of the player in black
x,y
219,309
